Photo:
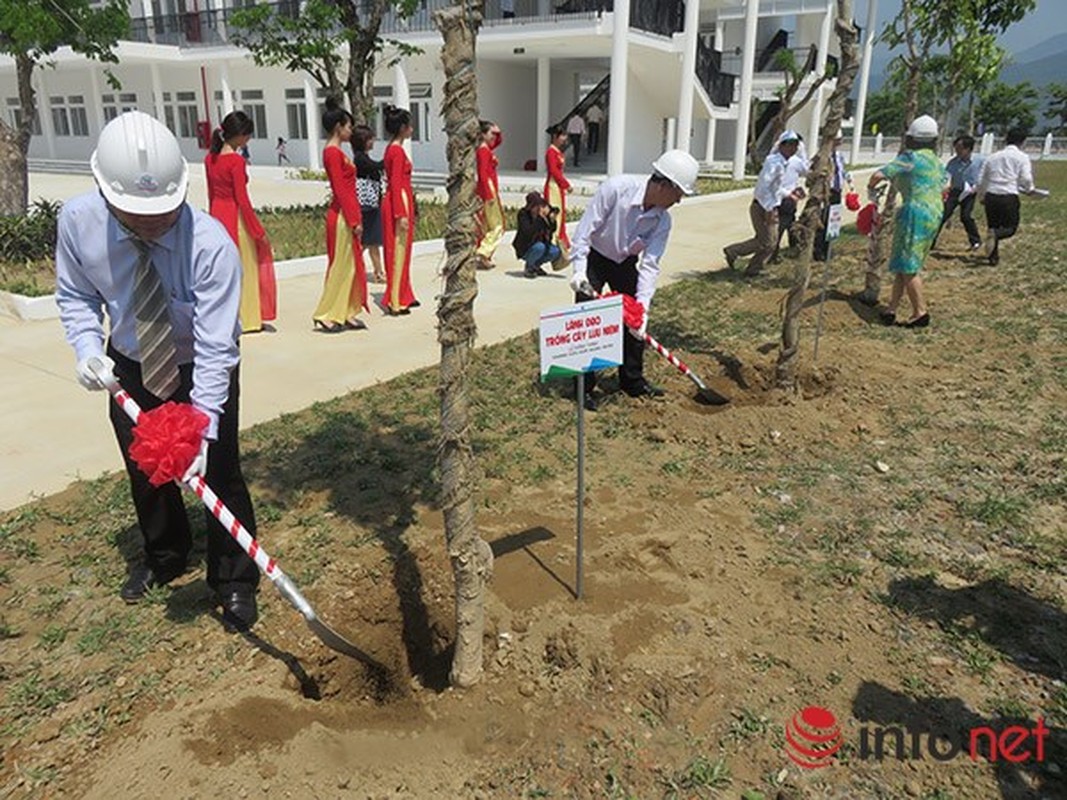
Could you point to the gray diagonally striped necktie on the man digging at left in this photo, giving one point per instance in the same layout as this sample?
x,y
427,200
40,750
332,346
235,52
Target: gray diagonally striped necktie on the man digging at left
x,y
160,358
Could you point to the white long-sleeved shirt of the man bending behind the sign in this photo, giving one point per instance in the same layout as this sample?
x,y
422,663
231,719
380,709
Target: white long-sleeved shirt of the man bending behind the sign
x,y
617,226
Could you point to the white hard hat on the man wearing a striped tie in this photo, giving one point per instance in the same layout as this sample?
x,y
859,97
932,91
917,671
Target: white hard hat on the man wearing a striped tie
x,y
138,166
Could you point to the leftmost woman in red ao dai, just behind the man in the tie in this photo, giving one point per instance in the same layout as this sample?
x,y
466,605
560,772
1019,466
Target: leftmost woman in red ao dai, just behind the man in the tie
x,y
228,195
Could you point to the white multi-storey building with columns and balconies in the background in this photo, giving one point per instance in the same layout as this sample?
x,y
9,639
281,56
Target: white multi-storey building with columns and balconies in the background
x,y
665,73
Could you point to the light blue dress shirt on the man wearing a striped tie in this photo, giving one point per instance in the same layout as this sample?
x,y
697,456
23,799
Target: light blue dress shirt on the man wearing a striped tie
x,y
201,274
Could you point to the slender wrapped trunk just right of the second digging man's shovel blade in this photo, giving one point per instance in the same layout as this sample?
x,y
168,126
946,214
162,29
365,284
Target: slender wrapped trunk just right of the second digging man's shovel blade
x,y
810,223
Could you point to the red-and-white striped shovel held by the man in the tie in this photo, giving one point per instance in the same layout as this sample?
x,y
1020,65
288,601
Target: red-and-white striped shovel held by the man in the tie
x,y
267,566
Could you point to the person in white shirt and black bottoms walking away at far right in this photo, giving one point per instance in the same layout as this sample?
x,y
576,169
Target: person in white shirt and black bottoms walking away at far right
x,y
1005,177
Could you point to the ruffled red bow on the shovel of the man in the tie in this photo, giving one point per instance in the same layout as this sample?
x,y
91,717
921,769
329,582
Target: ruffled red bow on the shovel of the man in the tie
x,y
167,440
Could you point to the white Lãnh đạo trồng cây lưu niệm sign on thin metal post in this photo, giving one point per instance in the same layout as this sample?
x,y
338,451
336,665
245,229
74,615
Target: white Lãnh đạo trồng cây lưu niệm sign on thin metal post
x,y
577,340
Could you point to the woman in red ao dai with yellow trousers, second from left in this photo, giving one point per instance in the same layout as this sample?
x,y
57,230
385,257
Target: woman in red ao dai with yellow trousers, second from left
x,y
345,290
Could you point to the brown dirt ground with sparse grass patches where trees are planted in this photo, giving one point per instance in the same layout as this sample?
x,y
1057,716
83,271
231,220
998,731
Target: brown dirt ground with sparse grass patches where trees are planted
x,y
888,545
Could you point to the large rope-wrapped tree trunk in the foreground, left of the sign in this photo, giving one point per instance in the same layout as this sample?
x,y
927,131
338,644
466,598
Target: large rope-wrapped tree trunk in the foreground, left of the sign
x,y
471,557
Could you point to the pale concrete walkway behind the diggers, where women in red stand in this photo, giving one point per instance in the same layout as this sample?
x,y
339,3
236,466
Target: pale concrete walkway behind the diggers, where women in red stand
x,y
55,433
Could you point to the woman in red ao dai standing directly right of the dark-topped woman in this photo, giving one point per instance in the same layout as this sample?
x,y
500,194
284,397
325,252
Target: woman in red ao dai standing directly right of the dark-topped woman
x,y
399,215
